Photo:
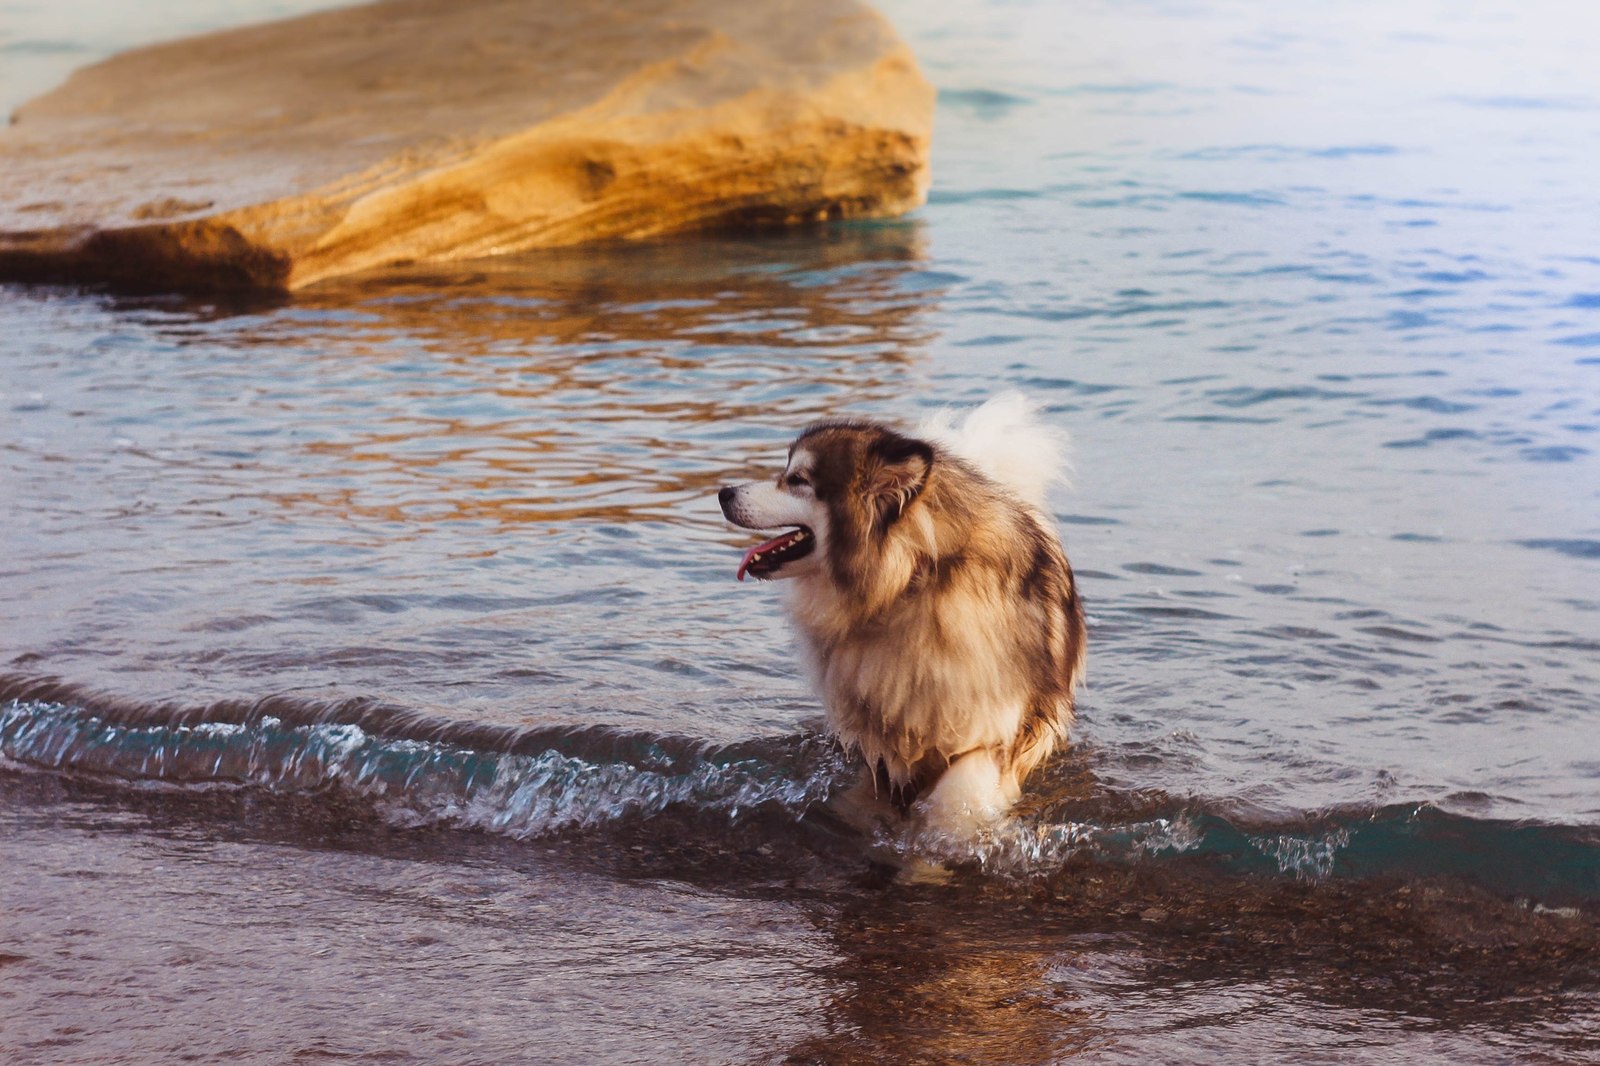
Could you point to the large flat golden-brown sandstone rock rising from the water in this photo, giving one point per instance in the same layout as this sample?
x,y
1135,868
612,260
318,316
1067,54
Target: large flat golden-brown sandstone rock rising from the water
x,y
428,130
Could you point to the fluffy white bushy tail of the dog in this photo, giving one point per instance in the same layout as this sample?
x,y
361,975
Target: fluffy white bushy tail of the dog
x,y
1004,439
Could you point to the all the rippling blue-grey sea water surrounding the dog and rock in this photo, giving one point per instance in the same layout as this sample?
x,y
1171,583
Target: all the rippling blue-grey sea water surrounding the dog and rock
x,y
374,668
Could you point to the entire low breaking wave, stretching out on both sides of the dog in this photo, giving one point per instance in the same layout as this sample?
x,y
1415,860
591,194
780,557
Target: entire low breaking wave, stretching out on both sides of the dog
x,y
559,782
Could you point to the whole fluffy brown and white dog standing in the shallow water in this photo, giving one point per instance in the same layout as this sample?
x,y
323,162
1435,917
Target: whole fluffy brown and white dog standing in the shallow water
x,y
935,606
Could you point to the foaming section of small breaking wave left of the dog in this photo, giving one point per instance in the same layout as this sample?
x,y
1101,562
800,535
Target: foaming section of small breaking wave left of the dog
x,y
574,780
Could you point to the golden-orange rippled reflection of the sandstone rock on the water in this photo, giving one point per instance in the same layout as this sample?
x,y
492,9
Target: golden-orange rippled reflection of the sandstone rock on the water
x,y
580,387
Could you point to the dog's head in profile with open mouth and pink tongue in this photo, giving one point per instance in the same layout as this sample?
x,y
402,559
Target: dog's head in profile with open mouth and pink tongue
x,y
846,486
